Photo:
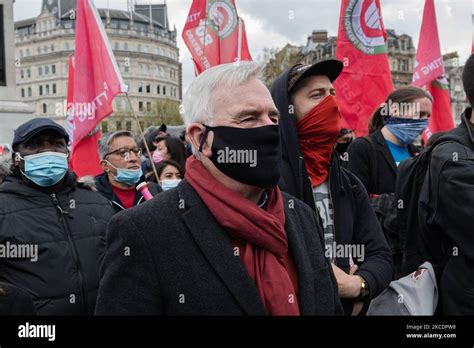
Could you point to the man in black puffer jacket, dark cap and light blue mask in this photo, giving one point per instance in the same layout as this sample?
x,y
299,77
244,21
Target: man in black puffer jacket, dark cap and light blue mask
x,y
42,206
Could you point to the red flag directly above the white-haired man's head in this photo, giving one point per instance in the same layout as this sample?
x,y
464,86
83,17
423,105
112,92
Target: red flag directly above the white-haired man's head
x,y
215,34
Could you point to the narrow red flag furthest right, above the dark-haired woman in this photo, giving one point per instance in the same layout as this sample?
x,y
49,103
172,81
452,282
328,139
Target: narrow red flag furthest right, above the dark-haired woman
x,y
429,72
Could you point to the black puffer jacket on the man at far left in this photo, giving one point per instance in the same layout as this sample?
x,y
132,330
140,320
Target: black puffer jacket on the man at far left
x,y
68,227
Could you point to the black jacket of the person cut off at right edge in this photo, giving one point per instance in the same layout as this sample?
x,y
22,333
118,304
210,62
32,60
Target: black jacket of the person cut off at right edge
x,y
446,216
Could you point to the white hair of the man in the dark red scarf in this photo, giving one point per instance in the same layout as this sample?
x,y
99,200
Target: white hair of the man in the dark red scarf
x,y
198,100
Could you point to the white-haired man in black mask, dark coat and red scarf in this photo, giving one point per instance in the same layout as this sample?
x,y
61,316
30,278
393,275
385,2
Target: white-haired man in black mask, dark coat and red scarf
x,y
226,241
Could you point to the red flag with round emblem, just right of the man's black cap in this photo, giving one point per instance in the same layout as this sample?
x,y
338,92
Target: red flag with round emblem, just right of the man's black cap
x,y
366,80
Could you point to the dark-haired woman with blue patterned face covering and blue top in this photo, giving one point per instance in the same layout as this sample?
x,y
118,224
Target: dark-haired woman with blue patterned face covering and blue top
x,y
393,128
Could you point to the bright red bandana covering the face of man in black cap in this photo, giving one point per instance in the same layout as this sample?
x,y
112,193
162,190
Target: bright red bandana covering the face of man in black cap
x,y
317,133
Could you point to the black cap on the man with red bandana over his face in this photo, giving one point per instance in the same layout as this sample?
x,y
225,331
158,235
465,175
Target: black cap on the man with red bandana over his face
x,y
331,68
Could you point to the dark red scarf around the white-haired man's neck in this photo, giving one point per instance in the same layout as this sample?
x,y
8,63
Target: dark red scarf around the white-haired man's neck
x,y
261,232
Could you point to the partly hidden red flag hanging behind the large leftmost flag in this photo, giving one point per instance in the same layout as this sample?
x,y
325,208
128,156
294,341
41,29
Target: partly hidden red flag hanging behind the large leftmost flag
x,y
85,158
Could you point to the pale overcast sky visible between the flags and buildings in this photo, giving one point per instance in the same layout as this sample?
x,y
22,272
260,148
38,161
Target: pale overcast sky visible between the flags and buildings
x,y
273,23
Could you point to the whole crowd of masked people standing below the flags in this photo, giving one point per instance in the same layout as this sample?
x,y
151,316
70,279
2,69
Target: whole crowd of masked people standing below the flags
x,y
265,206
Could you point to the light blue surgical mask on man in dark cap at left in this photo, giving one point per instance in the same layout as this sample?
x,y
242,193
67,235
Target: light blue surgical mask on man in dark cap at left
x,y
45,169
